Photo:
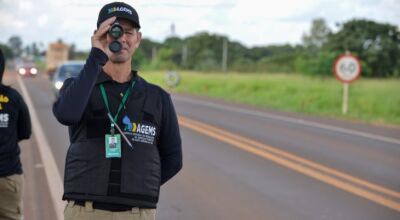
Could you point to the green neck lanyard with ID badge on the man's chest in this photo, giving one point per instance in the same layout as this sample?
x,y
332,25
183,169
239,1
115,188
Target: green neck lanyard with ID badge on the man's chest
x,y
113,141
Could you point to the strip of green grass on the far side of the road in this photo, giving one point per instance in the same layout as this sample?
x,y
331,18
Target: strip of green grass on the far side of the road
x,y
370,100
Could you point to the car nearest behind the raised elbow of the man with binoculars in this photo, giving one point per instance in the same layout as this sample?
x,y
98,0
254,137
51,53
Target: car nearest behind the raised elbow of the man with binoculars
x,y
64,71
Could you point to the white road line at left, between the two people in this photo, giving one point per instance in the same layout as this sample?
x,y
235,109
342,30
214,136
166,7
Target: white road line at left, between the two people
x,y
53,177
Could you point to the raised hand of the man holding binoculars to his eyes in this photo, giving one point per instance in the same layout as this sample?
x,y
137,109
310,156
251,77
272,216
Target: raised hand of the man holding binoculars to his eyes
x,y
99,38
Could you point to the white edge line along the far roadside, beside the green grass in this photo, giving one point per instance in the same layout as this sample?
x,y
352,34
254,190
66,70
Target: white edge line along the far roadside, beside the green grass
x,y
291,120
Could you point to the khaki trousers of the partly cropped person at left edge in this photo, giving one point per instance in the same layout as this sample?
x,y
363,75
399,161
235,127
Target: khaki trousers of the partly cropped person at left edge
x,y
11,197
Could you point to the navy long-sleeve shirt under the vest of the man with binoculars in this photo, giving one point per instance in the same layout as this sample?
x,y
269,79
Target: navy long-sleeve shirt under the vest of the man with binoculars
x,y
74,96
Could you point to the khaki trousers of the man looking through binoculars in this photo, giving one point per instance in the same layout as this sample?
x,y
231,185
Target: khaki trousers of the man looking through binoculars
x,y
75,212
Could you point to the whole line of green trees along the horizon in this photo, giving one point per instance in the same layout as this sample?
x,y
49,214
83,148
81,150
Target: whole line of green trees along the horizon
x,y
376,44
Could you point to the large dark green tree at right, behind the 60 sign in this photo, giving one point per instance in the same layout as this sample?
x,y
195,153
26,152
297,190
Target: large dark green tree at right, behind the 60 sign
x,y
376,44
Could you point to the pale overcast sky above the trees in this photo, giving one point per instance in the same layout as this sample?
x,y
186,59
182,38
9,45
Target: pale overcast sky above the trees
x,y
251,22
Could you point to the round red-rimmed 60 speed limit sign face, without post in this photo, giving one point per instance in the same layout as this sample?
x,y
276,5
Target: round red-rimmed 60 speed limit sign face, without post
x,y
347,68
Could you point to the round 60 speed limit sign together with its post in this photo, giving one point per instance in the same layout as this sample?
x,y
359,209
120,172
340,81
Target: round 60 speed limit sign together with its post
x,y
347,68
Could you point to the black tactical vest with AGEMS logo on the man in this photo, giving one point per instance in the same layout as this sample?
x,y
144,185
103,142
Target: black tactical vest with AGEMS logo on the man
x,y
87,169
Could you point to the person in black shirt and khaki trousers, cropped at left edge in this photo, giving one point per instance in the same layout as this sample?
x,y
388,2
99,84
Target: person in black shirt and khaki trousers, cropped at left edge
x,y
15,125
